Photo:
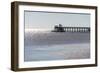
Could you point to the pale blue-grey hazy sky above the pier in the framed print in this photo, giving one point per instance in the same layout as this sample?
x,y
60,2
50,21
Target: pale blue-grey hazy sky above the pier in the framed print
x,y
47,20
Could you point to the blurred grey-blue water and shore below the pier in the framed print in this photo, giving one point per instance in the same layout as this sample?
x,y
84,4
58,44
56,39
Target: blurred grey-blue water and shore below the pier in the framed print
x,y
47,45
